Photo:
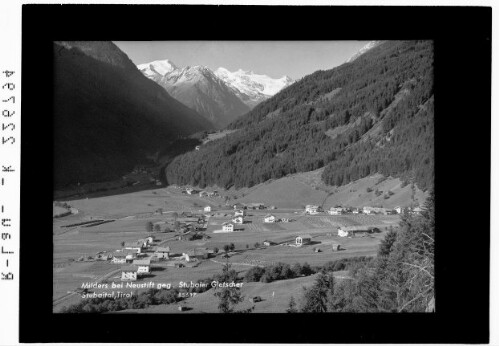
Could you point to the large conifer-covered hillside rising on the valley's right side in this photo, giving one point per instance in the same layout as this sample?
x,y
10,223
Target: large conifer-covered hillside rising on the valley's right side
x,y
372,115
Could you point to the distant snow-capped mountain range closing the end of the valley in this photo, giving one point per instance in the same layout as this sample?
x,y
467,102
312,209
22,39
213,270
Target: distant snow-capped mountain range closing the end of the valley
x,y
220,96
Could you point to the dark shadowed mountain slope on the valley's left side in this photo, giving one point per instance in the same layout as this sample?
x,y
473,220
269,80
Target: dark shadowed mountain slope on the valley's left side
x,y
107,115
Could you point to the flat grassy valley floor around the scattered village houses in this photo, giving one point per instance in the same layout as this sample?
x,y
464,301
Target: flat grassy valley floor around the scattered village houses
x,y
129,214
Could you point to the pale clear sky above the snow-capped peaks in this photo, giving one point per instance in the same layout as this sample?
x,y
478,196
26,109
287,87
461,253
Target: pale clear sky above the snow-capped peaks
x,y
273,58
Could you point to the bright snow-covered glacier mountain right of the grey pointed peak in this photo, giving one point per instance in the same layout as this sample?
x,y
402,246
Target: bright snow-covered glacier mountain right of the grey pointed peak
x,y
250,87
